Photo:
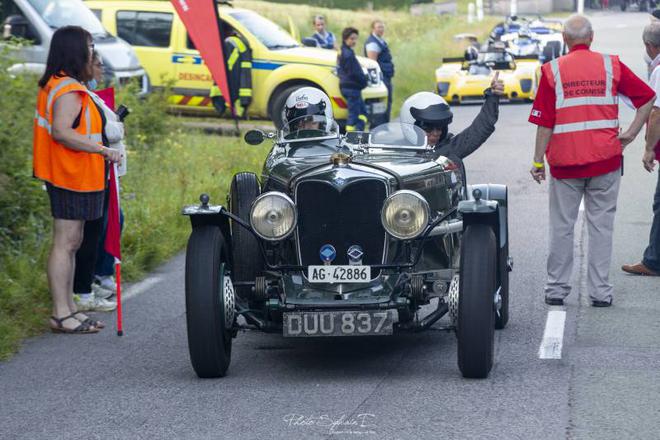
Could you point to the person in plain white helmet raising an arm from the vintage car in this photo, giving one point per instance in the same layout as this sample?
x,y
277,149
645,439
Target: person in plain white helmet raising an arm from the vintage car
x,y
432,114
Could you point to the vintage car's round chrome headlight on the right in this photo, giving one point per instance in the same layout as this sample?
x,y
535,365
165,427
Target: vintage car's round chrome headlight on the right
x,y
405,214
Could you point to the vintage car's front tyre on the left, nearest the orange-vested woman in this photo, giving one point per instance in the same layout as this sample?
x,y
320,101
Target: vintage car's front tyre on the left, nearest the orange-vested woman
x,y
209,302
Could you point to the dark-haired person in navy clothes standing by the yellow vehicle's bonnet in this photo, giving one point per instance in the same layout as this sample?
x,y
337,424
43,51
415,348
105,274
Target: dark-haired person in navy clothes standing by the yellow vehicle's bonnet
x,y
352,80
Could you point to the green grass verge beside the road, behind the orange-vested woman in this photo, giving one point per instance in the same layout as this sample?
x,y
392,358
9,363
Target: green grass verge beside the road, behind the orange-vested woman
x,y
160,181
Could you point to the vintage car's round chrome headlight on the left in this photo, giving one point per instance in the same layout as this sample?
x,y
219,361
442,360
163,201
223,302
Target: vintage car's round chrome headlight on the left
x,y
273,216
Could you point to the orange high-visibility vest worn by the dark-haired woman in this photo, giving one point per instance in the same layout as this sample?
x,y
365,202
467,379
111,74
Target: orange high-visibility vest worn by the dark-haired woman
x,y
55,163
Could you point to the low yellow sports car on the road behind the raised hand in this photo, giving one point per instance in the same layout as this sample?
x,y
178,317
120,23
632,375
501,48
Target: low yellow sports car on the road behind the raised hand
x,y
460,80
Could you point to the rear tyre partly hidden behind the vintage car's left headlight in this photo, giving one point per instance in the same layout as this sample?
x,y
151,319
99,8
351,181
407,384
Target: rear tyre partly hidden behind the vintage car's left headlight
x,y
247,259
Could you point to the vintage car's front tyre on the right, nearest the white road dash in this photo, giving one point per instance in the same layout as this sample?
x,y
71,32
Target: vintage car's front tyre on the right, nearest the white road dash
x,y
476,314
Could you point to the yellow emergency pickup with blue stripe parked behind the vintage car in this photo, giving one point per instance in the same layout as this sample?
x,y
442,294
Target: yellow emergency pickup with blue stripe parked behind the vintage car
x,y
280,64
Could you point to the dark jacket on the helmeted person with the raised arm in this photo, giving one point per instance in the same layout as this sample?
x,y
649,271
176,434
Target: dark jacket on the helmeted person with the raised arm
x,y
457,147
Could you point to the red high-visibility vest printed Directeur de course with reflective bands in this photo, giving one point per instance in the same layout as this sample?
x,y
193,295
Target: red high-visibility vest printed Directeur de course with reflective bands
x,y
587,108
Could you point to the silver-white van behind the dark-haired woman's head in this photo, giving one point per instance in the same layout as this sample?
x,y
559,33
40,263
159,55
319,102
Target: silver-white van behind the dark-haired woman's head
x,y
36,20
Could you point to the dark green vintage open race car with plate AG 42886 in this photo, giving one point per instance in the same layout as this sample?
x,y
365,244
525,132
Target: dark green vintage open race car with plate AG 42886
x,y
348,236
